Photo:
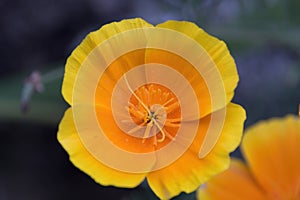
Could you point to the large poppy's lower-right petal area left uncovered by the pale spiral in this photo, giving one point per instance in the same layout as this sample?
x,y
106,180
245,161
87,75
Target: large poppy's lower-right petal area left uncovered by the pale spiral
x,y
188,172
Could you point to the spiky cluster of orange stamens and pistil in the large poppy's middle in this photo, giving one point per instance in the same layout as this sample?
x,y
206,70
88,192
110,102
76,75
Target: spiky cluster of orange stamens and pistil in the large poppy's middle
x,y
154,117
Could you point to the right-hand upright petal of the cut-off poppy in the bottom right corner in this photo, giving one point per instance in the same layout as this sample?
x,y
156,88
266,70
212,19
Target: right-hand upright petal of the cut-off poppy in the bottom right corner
x,y
272,151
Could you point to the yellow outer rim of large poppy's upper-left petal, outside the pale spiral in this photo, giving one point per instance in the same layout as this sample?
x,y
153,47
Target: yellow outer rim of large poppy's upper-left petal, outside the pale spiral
x,y
79,55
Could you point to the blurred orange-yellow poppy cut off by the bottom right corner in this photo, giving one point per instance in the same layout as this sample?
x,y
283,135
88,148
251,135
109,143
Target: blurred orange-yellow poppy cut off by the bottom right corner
x,y
271,149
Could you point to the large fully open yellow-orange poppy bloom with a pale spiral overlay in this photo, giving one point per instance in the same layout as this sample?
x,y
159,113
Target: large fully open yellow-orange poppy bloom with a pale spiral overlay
x,y
151,102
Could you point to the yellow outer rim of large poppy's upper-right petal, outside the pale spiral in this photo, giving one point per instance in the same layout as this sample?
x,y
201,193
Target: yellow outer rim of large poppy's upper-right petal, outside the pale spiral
x,y
216,49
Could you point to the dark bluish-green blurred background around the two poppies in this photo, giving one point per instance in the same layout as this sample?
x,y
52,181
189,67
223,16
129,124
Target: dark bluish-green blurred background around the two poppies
x,y
263,36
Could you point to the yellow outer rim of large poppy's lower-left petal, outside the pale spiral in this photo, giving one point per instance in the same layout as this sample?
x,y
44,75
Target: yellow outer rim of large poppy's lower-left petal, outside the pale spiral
x,y
81,158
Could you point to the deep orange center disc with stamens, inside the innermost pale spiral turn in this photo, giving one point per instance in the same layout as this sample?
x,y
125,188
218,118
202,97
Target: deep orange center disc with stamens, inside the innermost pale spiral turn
x,y
157,108
